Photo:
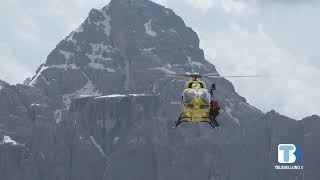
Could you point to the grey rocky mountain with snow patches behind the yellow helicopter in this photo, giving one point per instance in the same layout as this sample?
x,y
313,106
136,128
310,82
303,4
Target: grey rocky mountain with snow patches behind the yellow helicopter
x,y
67,124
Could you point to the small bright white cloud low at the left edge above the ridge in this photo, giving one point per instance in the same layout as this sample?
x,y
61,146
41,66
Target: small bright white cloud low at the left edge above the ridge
x,y
11,71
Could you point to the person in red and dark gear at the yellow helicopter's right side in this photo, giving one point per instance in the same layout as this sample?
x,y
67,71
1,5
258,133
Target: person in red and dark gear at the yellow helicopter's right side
x,y
214,108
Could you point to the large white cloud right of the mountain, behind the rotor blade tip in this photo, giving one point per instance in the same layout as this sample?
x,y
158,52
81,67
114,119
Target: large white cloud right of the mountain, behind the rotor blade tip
x,y
292,87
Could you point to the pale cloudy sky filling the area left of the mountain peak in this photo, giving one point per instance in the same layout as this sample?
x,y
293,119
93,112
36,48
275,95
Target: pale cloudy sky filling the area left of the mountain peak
x,y
33,29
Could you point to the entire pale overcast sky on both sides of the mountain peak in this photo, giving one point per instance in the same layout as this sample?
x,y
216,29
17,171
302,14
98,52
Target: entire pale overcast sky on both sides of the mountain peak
x,y
279,38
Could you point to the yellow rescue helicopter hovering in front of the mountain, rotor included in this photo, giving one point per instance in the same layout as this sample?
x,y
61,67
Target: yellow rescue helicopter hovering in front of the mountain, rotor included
x,y
197,104
